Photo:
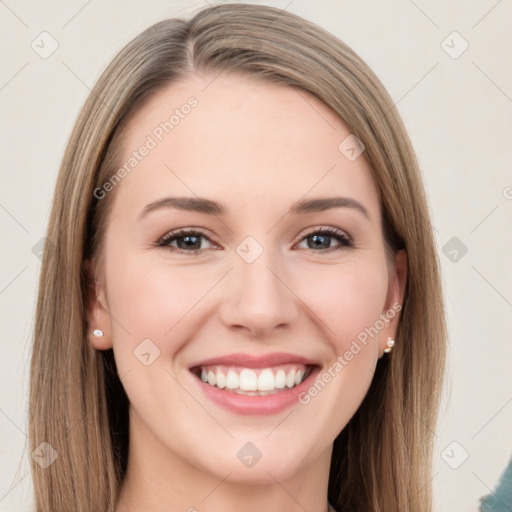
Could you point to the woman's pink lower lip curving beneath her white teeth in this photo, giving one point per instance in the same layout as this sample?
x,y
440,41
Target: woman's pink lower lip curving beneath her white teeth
x,y
257,405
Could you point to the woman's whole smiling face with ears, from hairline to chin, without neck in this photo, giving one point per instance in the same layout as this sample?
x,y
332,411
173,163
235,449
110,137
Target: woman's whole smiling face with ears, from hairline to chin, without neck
x,y
268,266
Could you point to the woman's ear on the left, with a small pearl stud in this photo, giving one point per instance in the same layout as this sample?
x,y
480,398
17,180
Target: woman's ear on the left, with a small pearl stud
x,y
97,313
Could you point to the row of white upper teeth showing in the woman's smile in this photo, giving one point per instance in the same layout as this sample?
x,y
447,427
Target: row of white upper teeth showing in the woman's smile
x,y
247,381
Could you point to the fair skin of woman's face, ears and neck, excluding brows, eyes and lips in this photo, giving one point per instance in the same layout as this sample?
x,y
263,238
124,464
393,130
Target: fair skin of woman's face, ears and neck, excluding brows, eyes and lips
x,y
257,148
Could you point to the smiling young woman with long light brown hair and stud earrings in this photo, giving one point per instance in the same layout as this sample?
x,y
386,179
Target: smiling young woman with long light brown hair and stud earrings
x,y
240,306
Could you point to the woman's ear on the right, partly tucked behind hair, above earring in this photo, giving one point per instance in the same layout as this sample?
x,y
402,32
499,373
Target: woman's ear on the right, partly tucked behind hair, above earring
x,y
394,299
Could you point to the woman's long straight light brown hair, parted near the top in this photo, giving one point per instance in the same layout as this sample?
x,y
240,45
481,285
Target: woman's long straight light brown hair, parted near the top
x,y
382,458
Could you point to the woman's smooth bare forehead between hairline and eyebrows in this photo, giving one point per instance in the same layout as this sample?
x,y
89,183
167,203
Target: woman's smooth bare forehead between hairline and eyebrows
x,y
240,140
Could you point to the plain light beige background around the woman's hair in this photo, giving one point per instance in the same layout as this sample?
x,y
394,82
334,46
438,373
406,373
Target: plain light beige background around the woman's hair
x,y
459,115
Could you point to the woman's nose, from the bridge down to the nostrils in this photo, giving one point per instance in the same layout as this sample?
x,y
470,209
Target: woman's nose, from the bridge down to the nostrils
x,y
258,298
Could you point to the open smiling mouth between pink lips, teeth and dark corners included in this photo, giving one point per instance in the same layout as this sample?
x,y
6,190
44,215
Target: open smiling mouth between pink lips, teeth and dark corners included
x,y
253,381
